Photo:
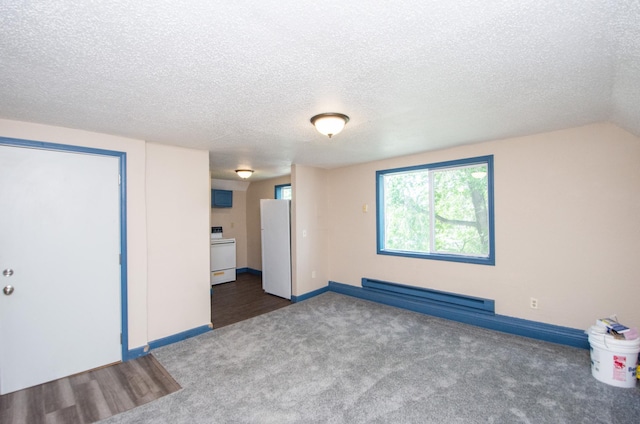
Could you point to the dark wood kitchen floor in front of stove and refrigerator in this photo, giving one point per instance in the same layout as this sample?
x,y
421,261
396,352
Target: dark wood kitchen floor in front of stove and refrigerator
x,y
242,299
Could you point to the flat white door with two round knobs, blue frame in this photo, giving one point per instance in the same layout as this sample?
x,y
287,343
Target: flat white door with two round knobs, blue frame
x,y
59,253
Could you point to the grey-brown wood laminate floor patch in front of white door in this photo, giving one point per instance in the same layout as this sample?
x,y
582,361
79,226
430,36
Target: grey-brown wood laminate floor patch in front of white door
x,y
89,396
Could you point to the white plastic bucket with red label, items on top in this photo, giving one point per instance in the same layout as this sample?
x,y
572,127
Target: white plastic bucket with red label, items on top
x,y
613,361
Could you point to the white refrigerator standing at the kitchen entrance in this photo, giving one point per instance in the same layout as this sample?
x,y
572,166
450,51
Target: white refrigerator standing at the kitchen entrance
x,y
275,224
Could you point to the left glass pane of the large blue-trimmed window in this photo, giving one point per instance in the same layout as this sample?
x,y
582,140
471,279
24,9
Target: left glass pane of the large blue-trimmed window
x,y
406,211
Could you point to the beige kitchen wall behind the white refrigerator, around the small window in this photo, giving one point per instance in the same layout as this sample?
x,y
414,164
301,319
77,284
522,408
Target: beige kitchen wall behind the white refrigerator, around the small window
x,y
257,190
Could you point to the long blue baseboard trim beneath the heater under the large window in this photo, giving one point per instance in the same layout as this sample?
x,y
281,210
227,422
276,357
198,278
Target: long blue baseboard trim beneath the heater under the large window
x,y
532,329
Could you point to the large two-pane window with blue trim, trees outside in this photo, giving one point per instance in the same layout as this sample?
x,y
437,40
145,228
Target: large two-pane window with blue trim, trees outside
x,y
440,211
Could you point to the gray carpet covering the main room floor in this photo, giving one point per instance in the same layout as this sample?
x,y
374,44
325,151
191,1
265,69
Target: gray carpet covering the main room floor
x,y
337,359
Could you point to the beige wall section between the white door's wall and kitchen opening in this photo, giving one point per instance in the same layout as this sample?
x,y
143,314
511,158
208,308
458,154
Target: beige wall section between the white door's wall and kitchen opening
x,y
178,204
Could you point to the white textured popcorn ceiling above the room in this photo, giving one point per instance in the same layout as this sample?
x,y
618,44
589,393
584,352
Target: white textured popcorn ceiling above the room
x,y
242,78
